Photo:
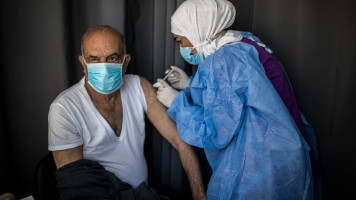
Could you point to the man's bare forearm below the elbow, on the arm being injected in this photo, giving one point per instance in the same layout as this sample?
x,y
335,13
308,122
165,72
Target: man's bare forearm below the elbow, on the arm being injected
x,y
191,166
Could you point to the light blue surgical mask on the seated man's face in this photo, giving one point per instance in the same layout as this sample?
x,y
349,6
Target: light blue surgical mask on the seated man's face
x,y
105,78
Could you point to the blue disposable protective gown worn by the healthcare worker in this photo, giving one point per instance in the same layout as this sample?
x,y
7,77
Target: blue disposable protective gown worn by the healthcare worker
x,y
254,147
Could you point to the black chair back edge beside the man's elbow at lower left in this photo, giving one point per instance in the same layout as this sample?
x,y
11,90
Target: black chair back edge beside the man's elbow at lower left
x,y
45,183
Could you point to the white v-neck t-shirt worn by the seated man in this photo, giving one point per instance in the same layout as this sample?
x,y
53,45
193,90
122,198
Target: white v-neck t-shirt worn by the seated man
x,y
74,120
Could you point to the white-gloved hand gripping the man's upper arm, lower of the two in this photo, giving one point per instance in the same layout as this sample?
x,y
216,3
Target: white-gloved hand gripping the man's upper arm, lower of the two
x,y
166,93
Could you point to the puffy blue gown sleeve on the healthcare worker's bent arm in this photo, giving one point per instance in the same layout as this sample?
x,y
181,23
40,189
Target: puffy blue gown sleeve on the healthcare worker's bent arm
x,y
210,112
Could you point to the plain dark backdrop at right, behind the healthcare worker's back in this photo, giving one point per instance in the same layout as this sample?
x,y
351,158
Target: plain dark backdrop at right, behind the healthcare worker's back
x,y
315,41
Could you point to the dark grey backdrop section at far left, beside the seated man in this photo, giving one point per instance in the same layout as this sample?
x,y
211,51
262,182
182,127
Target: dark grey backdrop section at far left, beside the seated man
x,y
33,73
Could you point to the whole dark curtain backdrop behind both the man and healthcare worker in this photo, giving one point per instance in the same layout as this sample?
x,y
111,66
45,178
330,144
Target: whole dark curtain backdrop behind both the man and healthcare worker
x,y
40,44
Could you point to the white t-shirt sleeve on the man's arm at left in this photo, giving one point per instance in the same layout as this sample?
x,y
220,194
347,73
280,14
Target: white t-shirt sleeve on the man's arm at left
x,y
63,131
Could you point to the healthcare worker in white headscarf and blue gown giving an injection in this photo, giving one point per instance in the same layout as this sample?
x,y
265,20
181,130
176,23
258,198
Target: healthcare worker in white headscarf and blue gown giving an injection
x,y
239,107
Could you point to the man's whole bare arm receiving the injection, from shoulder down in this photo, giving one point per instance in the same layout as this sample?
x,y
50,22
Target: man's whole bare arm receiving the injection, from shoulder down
x,y
158,116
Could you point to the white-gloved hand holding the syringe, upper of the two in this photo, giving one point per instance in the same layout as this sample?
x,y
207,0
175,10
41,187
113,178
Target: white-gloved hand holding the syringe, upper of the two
x,y
178,78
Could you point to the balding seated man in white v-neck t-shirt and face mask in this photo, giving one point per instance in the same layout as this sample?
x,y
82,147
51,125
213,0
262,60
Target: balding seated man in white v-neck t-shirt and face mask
x,y
101,118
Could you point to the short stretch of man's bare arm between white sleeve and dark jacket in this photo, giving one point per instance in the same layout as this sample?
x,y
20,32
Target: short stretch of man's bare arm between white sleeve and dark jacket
x,y
63,157
